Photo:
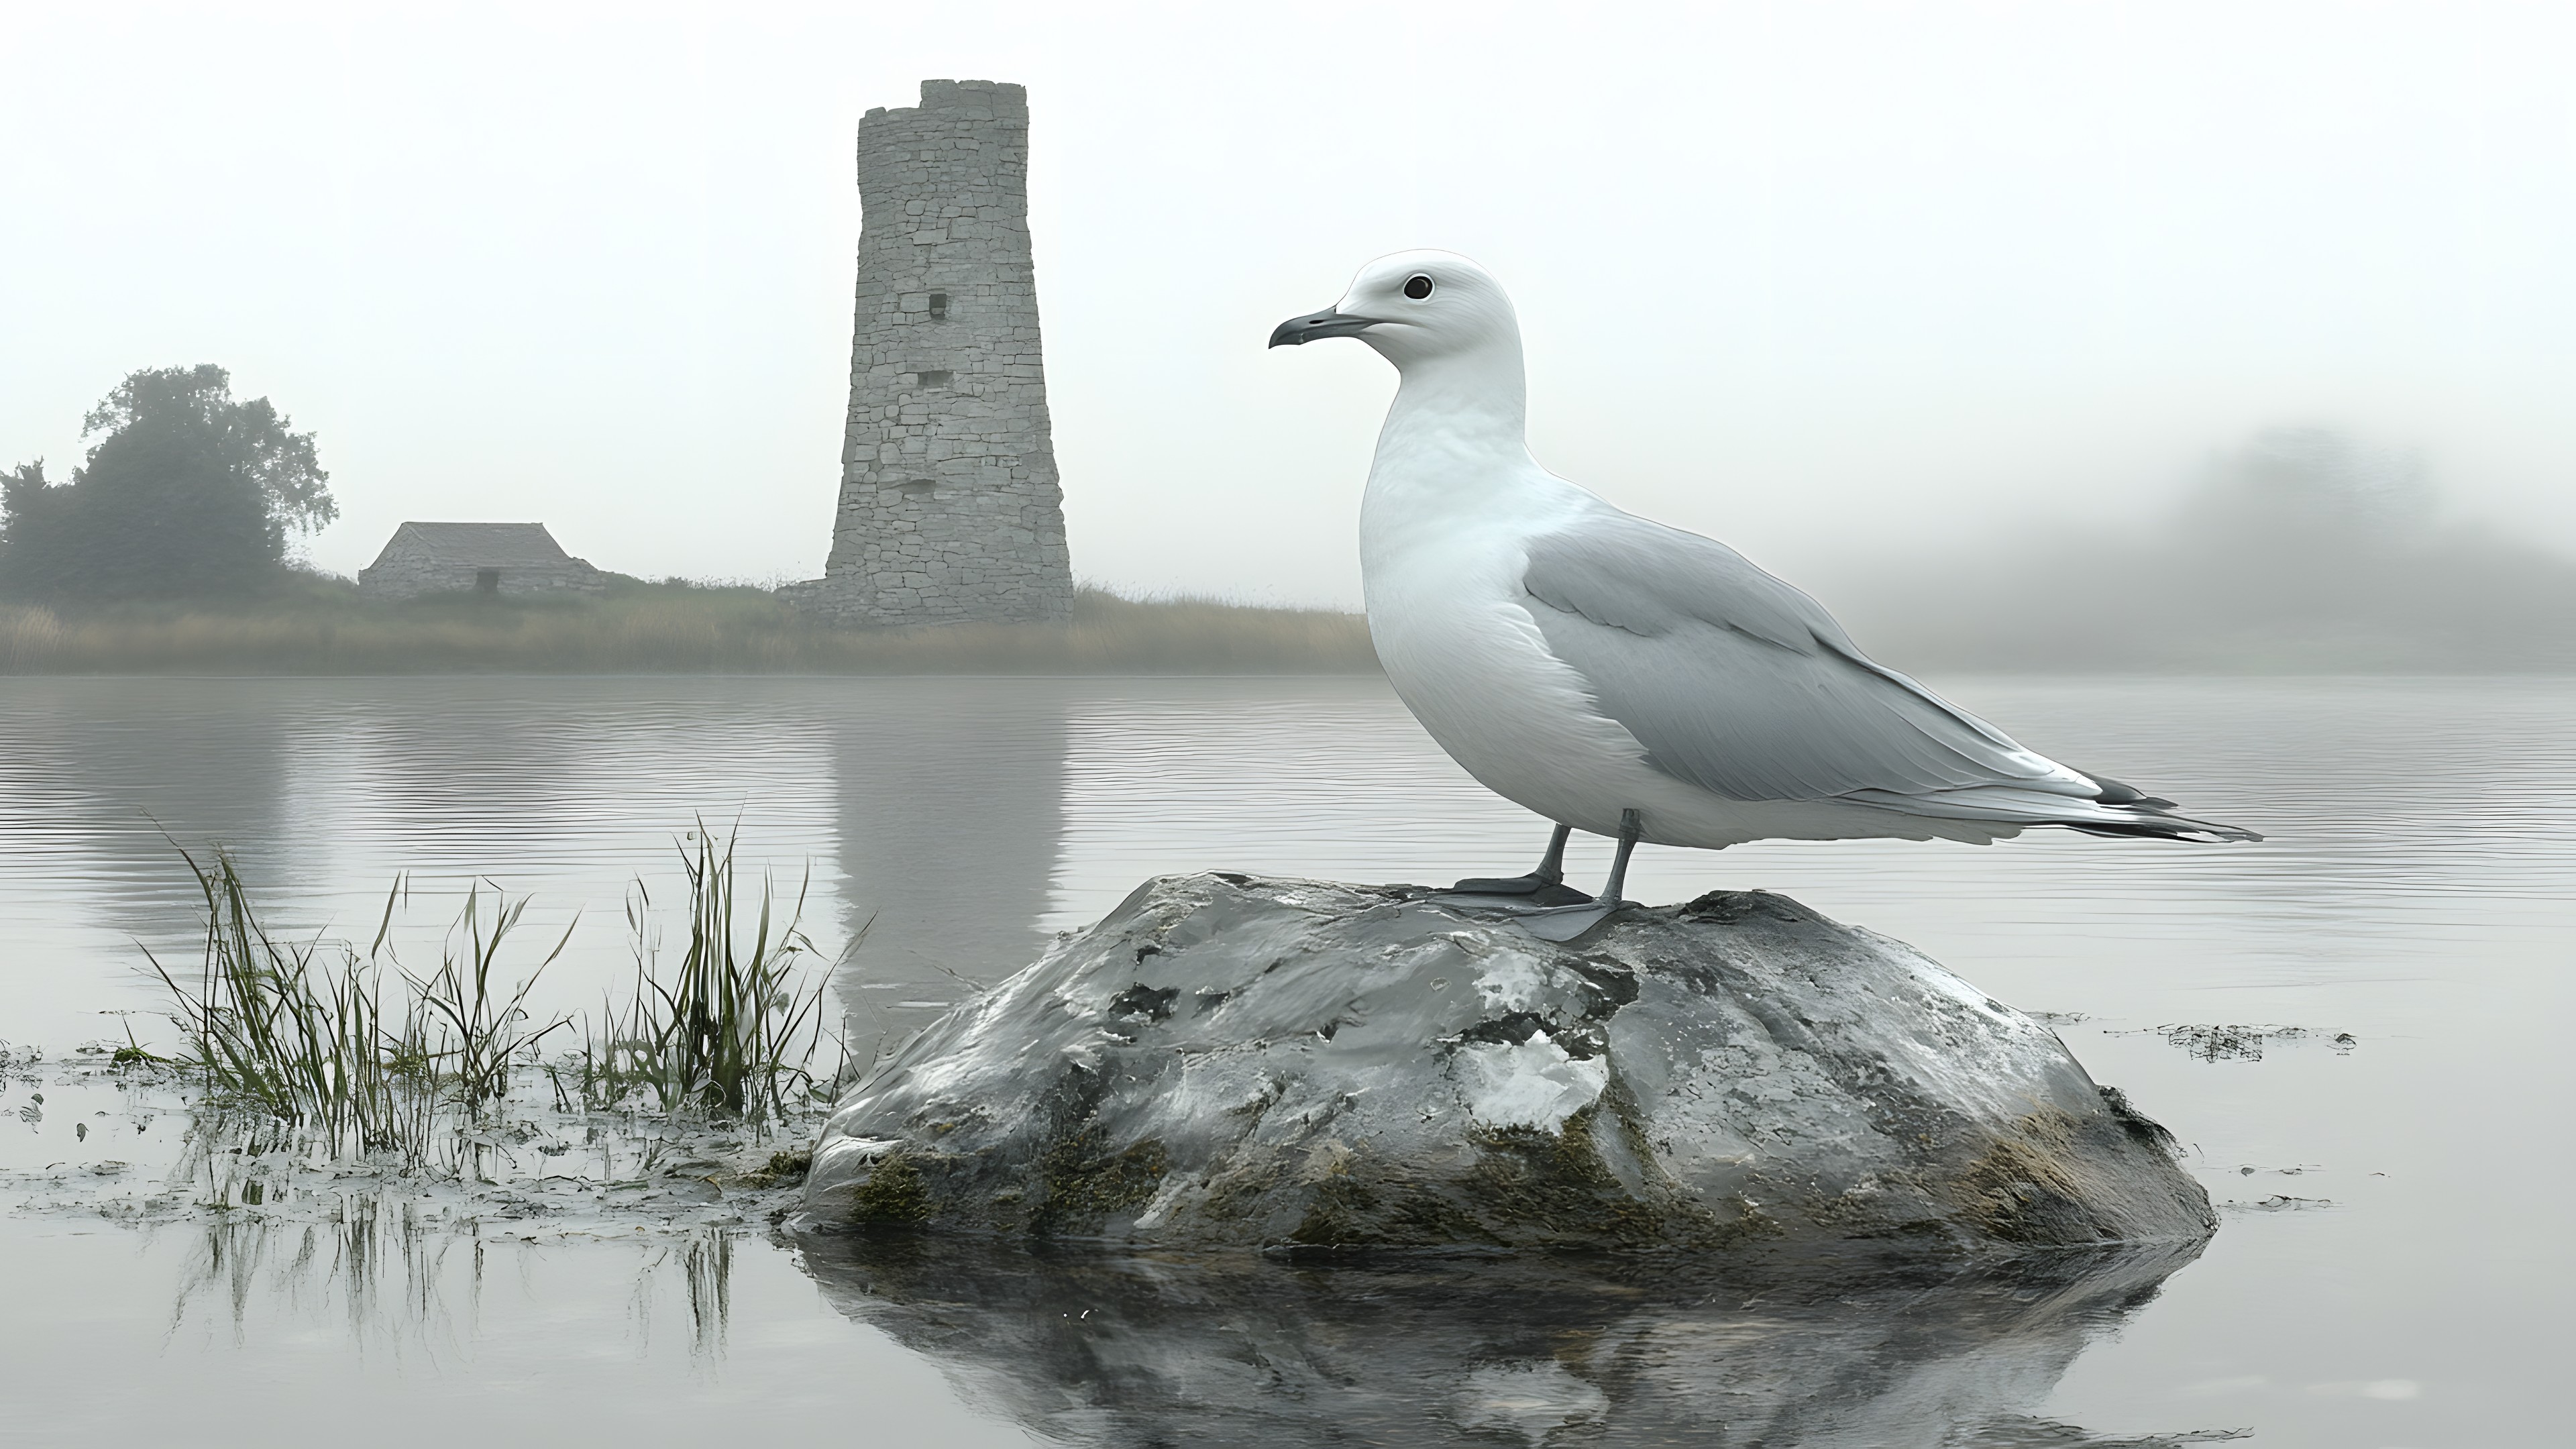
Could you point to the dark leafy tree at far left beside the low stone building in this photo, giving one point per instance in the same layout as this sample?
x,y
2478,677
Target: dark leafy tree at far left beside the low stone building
x,y
187,494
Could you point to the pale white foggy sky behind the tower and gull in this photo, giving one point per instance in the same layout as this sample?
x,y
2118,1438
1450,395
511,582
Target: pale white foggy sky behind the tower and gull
x,y
1802,277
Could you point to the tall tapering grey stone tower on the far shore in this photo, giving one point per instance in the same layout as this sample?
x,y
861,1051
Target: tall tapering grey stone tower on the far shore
x,y
949,504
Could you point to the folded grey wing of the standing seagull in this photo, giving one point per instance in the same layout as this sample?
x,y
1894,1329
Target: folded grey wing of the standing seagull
x,y
1745,687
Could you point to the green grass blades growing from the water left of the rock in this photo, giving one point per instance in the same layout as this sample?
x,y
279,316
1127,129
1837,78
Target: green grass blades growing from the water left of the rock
x,y
349,1053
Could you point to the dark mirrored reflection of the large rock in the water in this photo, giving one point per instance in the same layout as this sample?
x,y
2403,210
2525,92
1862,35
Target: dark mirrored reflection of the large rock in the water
x,y
1168,1350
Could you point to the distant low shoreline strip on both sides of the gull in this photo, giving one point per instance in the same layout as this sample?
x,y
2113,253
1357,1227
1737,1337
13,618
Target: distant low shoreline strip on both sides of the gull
x,y
689,630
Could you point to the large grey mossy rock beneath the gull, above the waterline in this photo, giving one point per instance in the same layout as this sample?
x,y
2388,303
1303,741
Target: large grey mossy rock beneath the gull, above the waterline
x,y
1256,1064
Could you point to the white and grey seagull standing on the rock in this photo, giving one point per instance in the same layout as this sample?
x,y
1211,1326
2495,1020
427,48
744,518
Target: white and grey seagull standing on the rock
x,y
1629,679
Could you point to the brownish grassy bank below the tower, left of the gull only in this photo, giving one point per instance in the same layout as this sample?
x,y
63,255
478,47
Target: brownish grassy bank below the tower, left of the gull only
x,y
666,628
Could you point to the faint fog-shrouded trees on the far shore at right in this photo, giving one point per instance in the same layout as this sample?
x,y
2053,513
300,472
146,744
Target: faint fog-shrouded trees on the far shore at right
x,y
2299,550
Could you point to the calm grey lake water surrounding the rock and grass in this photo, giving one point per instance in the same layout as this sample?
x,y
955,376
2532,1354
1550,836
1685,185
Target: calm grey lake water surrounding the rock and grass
x,y
2392,1270
